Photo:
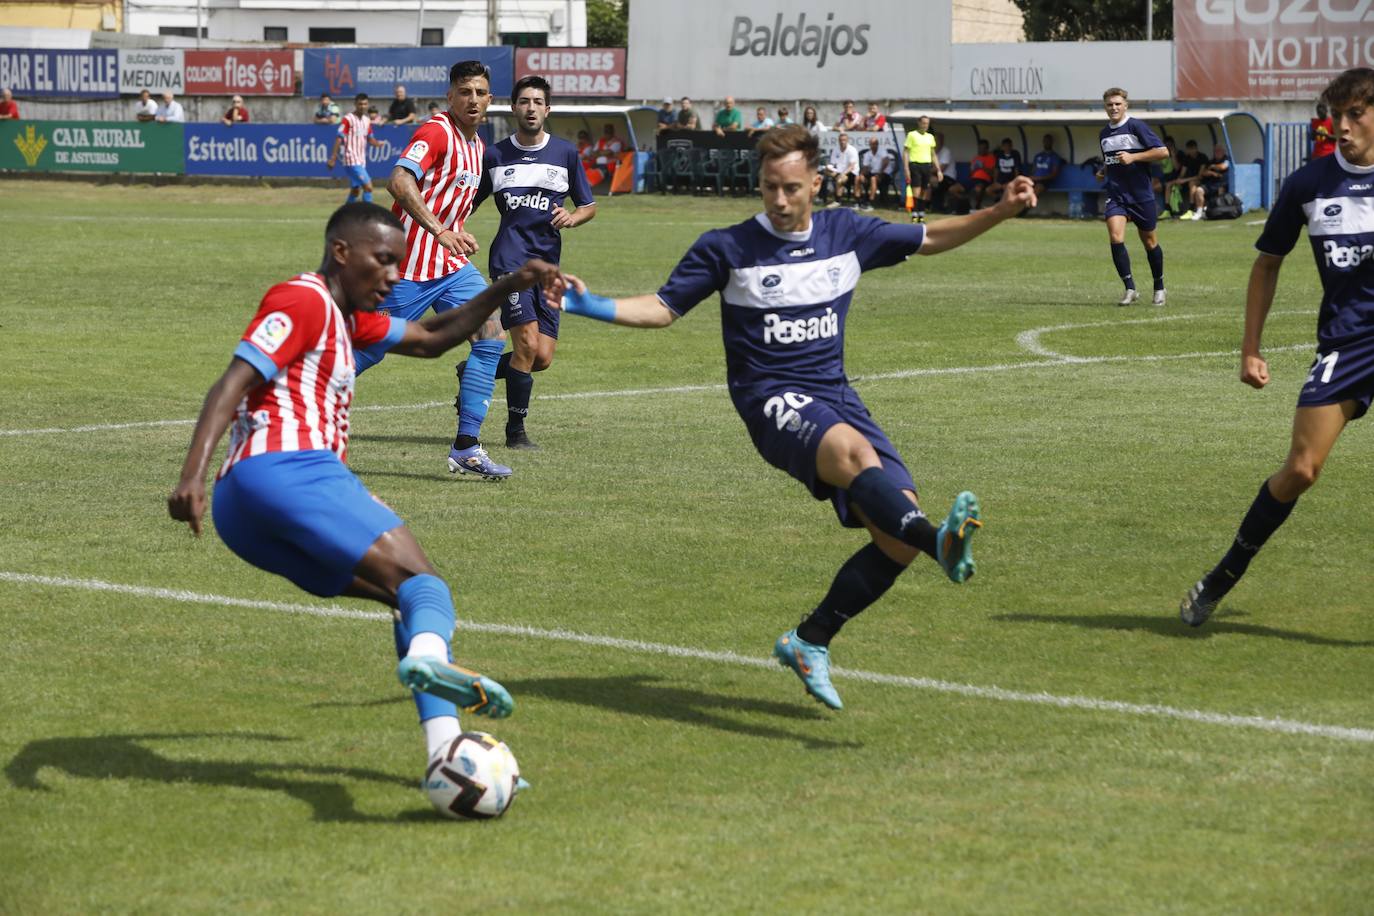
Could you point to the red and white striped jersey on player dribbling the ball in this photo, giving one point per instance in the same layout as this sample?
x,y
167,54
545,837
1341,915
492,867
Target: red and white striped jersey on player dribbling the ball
x,y
304,404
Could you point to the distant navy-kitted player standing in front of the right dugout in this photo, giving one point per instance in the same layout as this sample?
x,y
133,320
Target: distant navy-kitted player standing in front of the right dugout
x,y
1129,148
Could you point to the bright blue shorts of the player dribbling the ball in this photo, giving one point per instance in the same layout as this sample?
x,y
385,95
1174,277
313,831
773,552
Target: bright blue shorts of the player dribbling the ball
x,y
303,516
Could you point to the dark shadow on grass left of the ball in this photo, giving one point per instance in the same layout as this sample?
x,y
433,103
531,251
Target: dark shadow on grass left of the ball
x,y
102,757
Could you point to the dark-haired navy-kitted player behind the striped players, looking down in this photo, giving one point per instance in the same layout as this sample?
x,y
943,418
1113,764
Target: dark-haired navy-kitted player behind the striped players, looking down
x,y
530,175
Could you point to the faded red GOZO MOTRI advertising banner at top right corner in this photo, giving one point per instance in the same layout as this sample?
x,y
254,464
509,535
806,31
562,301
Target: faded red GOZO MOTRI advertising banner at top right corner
x,y
1269,49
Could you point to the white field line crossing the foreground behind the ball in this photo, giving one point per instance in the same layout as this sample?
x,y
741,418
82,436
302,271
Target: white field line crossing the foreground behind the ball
x,y
1090,704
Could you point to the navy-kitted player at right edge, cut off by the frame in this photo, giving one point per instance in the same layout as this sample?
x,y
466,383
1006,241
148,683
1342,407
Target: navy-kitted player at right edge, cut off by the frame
x,y
1333,197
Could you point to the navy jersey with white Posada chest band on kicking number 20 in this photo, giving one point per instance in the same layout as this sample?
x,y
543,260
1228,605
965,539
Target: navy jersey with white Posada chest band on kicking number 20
x,y
784,296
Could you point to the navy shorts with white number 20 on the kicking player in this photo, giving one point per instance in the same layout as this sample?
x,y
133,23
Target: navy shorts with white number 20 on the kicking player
x,y
788,422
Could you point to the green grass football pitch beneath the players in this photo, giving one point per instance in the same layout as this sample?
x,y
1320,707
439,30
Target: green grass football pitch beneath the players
x,y
175,752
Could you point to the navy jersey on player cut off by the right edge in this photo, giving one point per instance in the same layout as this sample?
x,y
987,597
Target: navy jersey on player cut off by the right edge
x,y
1335,201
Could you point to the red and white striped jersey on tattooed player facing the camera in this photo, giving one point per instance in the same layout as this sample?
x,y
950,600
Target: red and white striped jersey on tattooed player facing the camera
x,y
449,168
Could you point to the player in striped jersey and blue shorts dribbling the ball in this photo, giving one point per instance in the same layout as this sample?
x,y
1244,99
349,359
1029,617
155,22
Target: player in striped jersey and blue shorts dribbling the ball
x,y
284,499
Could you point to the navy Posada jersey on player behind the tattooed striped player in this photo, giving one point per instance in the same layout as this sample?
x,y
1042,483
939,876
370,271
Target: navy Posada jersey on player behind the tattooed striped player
x,y
527,185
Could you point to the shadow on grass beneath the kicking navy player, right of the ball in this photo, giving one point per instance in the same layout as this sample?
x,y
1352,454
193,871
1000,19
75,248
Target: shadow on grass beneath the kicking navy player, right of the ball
x,y
642,697
